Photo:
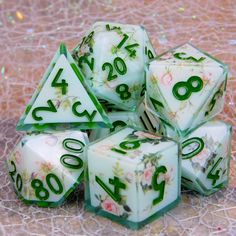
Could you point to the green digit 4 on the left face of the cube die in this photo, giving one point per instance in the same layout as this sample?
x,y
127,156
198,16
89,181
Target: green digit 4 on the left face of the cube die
x,y
117,186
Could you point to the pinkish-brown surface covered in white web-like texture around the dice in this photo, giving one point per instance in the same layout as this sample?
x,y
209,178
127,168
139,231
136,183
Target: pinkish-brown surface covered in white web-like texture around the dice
x,y
30,33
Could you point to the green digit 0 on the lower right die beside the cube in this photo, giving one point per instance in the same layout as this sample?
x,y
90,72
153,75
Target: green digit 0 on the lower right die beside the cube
x,y
197,150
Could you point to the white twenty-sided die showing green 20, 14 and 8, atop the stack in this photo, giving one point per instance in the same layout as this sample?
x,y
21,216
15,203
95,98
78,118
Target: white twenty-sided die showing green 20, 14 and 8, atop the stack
x,y
112,57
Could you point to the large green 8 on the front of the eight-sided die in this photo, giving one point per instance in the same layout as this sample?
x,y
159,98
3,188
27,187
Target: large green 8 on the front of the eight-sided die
x,y
192,85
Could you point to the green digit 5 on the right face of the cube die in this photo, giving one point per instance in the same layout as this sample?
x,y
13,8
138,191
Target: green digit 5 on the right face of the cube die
x,y
158,186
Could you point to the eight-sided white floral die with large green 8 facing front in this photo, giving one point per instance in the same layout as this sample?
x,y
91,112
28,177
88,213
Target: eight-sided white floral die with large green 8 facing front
x,y
186,86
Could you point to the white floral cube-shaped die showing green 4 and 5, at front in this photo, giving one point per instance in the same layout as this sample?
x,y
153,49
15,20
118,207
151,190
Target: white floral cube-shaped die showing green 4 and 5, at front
x,y
132,177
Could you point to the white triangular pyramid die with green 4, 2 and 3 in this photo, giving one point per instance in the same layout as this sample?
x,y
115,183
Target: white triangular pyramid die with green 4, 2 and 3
x,y
63,100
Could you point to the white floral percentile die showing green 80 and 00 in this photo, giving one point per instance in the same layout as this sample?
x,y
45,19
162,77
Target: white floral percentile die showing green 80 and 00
x,y
46,168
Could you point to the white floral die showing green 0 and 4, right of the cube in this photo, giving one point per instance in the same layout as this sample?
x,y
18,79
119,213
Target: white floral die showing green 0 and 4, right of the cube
x,y
206,154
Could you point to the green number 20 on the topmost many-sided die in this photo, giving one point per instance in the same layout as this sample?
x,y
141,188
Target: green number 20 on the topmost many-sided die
x,y
119,65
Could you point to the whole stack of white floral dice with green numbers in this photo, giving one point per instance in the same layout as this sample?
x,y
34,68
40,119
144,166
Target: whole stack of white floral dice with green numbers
x,y
149,121
